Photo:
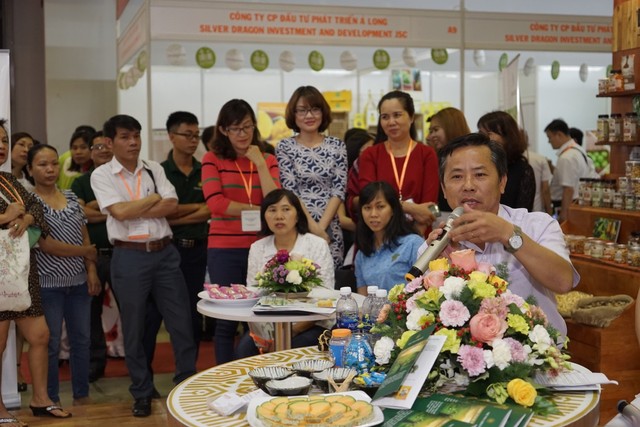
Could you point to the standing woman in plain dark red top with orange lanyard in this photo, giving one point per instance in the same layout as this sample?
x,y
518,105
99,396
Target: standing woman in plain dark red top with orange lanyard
x,y
410,166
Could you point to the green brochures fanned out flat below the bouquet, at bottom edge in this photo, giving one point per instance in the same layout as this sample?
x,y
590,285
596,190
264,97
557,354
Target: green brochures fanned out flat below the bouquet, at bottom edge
x,y
468,411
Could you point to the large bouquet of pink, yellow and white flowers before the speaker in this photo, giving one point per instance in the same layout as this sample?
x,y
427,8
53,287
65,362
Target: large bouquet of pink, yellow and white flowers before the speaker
x,y
495,340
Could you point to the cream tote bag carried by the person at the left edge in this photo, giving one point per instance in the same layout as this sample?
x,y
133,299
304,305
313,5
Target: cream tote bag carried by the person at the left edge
x,y
15,260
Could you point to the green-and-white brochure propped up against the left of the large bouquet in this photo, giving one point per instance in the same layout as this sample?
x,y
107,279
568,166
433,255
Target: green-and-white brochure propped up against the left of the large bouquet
x,y
409,371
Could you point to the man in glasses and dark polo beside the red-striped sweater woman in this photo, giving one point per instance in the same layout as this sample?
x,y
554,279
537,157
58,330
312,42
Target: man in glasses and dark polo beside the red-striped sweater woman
x,y
189,224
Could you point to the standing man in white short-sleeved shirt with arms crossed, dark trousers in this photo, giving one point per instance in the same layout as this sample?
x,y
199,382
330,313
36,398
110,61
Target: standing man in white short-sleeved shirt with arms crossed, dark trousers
x,y
137,197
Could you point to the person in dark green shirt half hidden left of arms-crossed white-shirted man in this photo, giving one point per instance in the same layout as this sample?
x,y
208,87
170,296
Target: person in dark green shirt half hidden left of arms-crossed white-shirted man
x,y
97,228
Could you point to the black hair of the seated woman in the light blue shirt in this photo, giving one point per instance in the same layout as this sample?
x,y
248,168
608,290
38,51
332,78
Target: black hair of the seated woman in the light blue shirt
x,y
398,224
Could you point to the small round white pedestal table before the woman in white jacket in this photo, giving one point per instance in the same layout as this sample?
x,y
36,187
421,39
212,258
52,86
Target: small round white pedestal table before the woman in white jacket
x,y
244,314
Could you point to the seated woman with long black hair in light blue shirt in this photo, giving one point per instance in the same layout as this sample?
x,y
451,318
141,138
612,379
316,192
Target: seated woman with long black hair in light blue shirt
x,y
387,244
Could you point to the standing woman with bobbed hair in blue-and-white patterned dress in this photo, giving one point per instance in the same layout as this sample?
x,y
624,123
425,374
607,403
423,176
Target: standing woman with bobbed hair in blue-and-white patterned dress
x,y
314,166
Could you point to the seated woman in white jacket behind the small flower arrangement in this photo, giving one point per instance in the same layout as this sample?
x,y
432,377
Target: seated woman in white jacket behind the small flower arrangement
x,y
285,226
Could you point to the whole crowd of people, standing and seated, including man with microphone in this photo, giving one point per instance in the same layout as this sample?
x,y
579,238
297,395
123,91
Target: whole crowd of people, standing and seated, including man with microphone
x,y
153,231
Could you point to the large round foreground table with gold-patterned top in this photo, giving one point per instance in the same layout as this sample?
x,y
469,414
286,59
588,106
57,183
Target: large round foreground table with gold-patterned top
x,y
187,402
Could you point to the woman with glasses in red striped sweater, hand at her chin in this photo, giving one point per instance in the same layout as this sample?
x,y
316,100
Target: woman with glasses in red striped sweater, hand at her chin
x,y
236,175
